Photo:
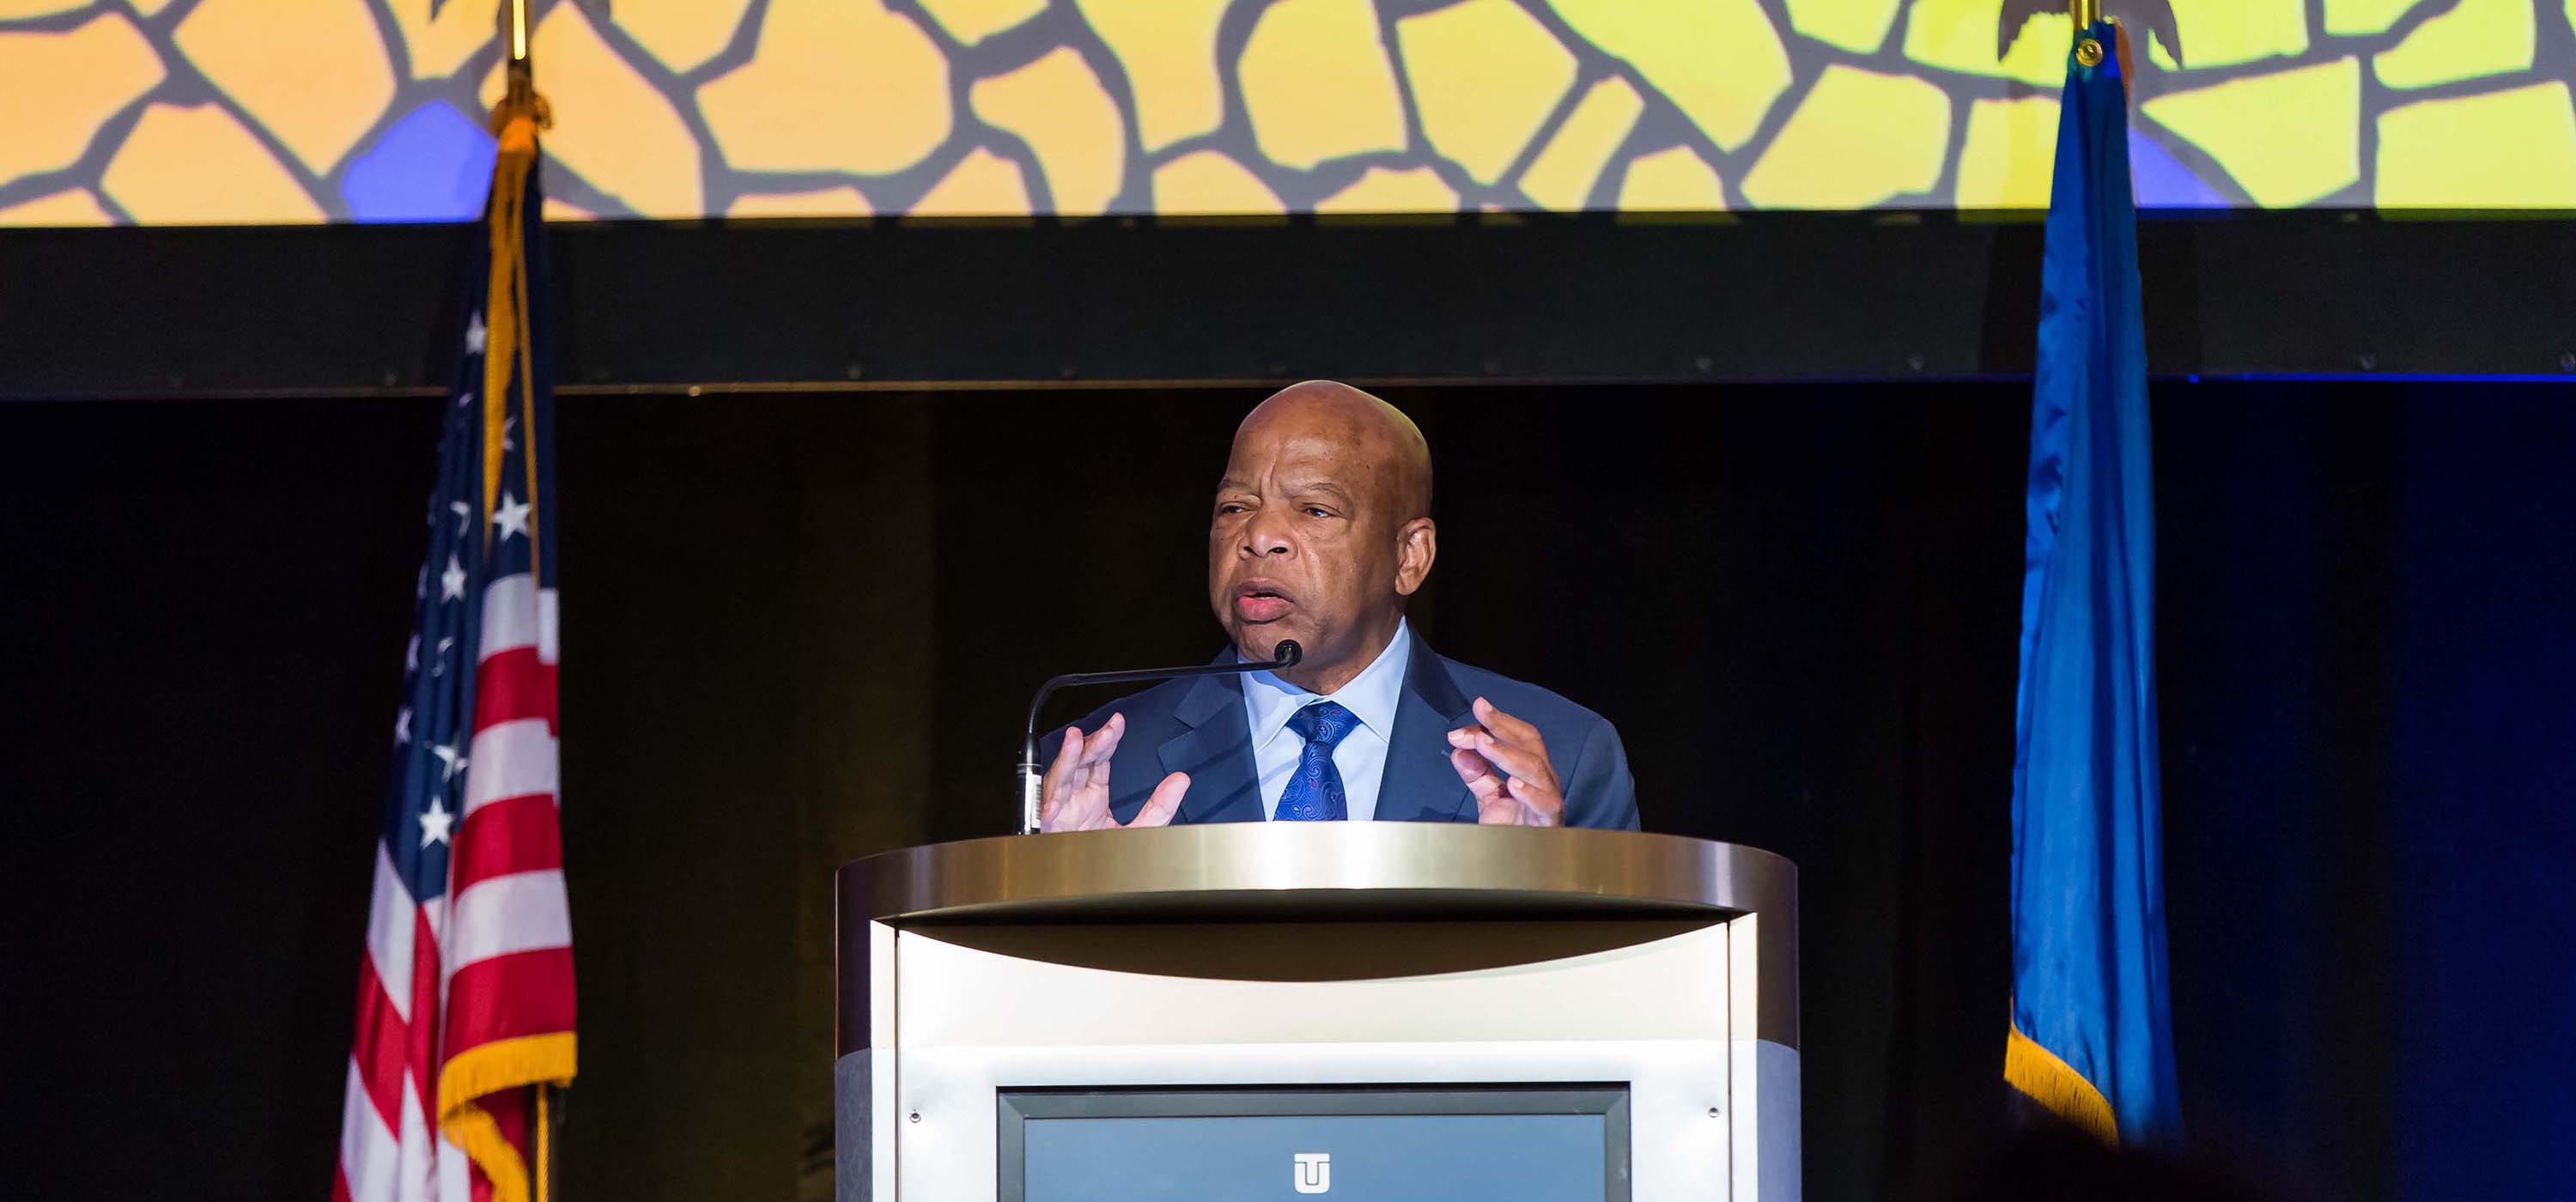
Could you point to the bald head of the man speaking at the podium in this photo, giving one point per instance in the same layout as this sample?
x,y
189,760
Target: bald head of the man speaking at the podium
x,y
1323,529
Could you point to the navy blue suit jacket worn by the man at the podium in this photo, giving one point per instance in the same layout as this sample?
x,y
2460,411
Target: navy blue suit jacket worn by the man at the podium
x,y
1199,727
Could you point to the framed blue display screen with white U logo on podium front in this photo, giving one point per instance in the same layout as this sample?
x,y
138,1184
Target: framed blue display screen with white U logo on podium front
x,y
1354,1144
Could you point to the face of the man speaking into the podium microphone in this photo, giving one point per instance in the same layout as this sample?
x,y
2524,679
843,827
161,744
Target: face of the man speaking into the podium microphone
x,y
1305,542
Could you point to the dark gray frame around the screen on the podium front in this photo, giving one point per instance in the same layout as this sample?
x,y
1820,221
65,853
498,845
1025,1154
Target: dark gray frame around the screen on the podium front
x,y
1168,1103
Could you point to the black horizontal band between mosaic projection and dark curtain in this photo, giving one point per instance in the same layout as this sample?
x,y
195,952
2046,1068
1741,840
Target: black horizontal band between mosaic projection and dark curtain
x,y
1601,297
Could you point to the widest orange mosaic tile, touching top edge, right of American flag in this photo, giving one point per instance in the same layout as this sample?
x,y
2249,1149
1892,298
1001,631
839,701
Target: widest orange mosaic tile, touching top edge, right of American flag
x,y
833,86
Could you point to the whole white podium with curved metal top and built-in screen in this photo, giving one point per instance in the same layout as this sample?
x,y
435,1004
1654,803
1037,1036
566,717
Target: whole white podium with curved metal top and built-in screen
x,y
1009,1005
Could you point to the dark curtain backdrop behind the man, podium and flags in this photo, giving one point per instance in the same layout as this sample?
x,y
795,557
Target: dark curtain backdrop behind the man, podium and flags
x,y
800,629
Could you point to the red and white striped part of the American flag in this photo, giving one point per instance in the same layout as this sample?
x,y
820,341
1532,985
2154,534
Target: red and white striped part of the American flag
x,y
493,959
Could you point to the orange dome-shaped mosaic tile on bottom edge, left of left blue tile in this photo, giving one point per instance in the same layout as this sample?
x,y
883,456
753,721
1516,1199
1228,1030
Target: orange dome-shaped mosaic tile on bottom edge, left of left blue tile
x,y
200,166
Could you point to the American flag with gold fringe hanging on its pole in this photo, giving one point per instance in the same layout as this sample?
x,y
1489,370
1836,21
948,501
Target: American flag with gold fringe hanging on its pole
x,y
465,995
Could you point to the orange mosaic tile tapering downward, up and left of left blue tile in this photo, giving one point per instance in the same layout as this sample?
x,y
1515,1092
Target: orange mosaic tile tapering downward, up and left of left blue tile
x,y
318,91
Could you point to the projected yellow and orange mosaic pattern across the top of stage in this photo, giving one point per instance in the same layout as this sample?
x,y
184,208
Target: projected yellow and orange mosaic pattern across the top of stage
x,y
174,112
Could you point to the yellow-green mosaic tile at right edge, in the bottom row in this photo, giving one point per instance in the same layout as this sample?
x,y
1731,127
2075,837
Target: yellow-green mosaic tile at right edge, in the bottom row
x,y
2497,151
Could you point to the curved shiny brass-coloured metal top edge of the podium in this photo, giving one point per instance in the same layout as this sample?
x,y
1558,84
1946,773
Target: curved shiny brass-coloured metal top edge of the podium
x,y
1328,869
